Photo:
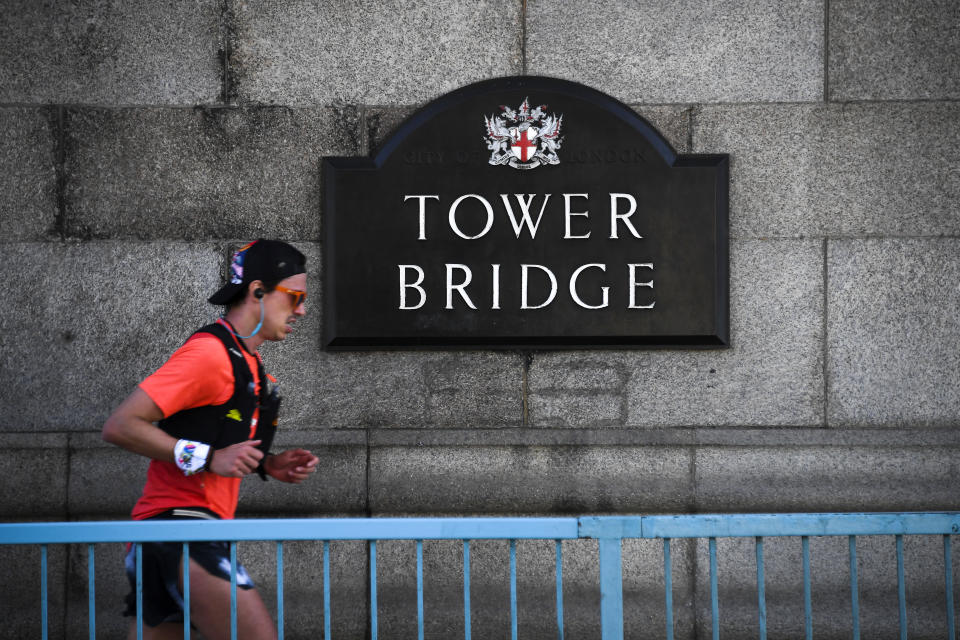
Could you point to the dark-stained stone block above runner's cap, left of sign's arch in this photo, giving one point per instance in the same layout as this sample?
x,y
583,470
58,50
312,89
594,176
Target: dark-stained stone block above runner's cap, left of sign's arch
x,y
210,173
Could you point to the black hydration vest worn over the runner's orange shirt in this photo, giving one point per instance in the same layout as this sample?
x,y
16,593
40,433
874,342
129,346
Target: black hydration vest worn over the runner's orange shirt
x,y
222,425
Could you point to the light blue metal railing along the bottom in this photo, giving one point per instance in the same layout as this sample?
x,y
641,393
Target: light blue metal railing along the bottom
x,y
609,531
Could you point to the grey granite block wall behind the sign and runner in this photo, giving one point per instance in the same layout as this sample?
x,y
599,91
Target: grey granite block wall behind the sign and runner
x,y
140,142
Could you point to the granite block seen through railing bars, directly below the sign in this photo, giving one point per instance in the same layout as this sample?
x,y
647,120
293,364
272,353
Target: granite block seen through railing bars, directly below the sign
x,y
443,603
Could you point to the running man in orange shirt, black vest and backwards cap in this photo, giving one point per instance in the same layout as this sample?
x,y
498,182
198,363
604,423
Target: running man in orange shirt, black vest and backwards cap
x,y
206,418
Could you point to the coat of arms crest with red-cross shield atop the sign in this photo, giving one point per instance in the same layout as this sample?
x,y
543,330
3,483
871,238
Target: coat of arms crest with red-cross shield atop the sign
x,y
524,138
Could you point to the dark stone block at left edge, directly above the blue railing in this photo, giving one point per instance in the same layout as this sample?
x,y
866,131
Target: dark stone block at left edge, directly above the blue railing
x,y
34,485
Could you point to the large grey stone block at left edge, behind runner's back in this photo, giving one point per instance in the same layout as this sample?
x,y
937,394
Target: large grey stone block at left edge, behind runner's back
x,y
89,321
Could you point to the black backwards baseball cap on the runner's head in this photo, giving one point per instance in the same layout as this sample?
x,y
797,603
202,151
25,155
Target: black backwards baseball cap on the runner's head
x,y
265,260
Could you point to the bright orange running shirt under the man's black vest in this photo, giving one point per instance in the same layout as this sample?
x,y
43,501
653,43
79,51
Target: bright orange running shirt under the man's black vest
x,y
197,374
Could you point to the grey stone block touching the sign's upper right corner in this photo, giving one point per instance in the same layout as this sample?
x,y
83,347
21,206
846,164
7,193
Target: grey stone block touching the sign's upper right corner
x,y
801,170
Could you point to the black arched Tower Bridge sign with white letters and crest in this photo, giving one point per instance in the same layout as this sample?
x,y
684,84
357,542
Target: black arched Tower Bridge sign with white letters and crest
x,y
525,212
